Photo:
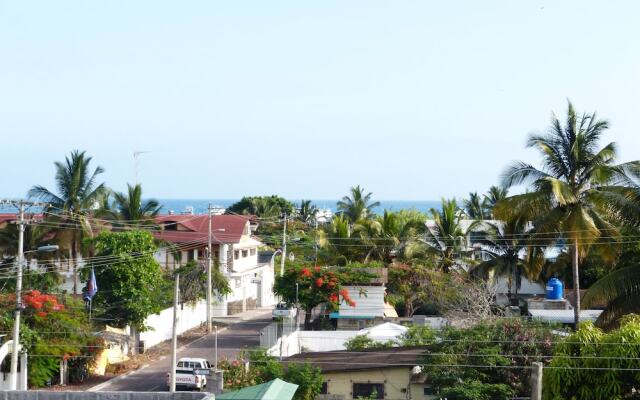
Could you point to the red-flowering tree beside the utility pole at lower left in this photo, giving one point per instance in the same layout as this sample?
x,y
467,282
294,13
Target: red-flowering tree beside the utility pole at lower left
x,y
52,328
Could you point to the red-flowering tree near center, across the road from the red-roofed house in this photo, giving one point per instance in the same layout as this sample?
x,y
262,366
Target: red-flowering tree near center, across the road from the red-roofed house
x,y
318,285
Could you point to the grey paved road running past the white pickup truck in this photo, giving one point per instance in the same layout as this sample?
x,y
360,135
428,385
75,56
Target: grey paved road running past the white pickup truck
x,y
236,336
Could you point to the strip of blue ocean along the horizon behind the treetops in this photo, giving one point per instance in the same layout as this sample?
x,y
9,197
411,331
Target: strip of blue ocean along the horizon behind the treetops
x,y
199,206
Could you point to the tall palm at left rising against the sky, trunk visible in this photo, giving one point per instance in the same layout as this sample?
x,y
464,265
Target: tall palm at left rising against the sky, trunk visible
x,y
78,194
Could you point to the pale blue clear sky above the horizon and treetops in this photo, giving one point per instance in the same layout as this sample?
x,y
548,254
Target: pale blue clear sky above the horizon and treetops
x,y
414,100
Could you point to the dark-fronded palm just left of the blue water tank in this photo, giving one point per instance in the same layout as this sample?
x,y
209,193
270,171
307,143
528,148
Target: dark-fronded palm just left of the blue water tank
x,y
507,245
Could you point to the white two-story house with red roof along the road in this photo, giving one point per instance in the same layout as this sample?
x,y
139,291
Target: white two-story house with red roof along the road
x,y
235,253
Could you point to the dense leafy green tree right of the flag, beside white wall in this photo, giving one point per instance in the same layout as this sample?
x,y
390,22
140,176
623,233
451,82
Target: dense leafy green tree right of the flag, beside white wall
x,y
131,287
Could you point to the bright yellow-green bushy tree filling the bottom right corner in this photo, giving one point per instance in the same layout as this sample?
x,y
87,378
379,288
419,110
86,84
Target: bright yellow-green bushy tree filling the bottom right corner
x,y
591,364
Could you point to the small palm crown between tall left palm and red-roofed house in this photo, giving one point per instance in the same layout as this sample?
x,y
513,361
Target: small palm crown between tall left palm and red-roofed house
x,y
129,210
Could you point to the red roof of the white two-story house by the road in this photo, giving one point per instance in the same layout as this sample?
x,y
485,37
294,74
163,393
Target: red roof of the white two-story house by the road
x,y
195,228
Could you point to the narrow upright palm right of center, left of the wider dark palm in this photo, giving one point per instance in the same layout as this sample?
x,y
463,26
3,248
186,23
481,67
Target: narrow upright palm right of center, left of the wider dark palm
x,y
445,234
